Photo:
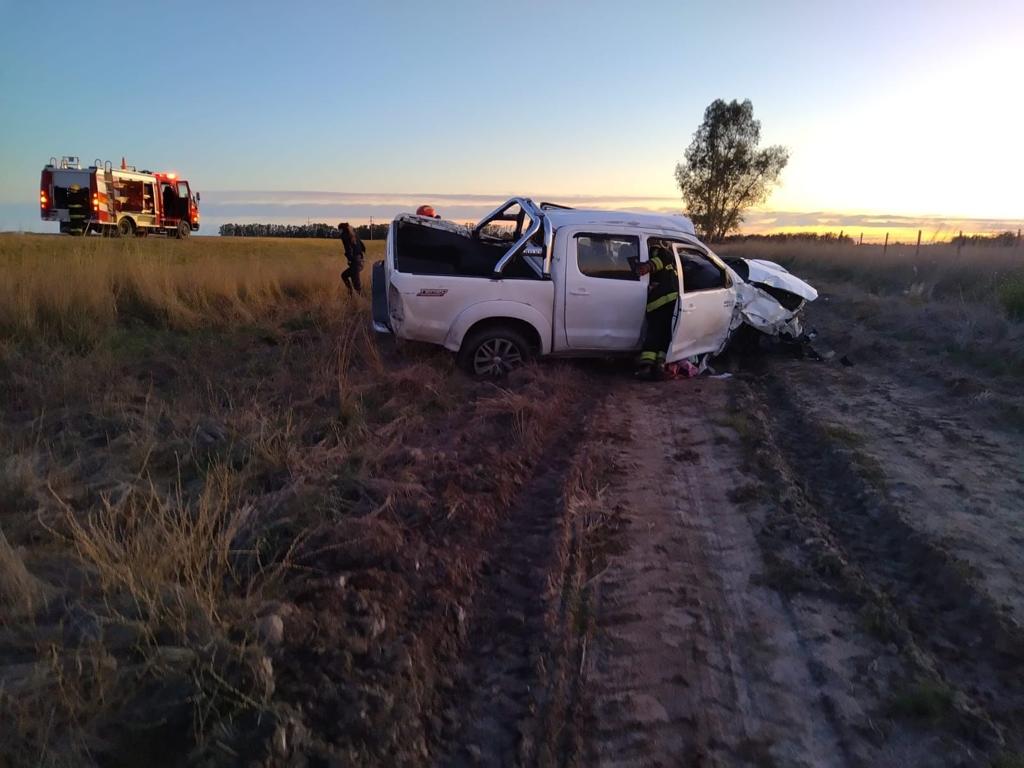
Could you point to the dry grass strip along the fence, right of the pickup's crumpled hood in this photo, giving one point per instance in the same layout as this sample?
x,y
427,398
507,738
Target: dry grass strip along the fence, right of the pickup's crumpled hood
x,y
976,274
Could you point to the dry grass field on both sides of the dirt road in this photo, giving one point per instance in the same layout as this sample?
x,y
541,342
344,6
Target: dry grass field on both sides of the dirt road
x,y
202,443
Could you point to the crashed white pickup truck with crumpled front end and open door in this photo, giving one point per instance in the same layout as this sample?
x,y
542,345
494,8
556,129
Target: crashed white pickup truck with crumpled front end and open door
x,y
545,280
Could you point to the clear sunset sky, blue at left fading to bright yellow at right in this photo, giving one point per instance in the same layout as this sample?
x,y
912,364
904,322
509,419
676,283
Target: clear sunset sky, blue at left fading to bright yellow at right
x,y
898,114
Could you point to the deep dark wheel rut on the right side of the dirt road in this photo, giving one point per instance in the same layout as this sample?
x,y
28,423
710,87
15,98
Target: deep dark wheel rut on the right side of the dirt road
x,y
937,608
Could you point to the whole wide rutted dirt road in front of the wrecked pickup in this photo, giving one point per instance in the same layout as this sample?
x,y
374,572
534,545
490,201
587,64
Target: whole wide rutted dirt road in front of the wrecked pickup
x,y
807,565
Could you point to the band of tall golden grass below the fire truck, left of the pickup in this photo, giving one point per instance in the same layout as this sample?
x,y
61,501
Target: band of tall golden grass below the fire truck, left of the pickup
x,y
73,290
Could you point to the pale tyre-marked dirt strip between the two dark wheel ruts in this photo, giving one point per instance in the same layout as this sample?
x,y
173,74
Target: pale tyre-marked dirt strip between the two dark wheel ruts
x,y
694,662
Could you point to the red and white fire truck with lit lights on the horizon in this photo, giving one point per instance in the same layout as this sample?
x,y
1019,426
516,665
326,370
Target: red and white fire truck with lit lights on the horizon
x,y
115,202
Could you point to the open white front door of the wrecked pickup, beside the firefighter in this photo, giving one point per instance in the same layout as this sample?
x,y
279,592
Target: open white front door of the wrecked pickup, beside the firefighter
x,y
704,312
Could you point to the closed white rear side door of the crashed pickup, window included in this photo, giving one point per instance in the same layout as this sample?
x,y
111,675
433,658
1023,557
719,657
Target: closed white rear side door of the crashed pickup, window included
x,y
605,297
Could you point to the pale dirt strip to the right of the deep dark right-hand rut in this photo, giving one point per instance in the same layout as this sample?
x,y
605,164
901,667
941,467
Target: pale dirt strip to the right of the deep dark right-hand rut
x,y
956,474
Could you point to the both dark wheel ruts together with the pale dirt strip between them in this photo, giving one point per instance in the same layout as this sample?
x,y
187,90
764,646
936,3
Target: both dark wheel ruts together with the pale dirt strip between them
x,y
728,624
